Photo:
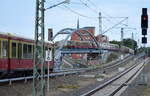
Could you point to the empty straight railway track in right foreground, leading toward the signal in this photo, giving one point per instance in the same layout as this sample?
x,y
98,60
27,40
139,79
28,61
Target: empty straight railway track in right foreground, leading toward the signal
x,y
114,85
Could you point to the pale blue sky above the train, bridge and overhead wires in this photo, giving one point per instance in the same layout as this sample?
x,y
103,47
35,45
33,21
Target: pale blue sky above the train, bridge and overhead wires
x,y
18,16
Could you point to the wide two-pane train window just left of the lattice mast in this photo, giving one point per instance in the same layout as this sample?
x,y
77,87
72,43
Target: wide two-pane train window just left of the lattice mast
x,y
27,51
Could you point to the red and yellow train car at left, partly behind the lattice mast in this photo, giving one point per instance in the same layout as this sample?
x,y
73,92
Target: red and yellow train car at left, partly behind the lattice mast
x,y
16,54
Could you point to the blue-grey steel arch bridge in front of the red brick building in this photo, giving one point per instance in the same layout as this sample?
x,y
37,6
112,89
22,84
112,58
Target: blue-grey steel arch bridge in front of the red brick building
x,y
60,50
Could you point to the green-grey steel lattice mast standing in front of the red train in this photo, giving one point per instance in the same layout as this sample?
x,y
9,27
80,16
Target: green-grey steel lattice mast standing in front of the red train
x,y
39,62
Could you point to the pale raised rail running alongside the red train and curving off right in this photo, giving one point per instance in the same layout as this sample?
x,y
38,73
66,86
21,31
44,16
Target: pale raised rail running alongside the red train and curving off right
x,y
66,72
